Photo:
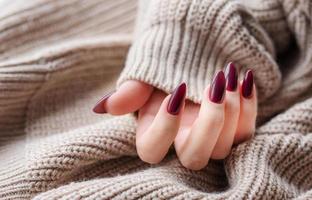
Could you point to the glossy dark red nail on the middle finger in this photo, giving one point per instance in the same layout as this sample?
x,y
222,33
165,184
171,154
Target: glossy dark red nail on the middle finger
x,y
217,88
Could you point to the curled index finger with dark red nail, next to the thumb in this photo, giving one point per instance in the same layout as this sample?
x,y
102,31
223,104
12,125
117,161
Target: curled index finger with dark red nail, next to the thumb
x,y
154,143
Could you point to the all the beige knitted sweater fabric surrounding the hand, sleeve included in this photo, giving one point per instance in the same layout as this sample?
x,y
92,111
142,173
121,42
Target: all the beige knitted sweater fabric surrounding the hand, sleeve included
x,y
59,57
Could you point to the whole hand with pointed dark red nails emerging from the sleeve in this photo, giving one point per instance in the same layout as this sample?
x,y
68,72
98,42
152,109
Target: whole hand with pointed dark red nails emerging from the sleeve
x,y
226,115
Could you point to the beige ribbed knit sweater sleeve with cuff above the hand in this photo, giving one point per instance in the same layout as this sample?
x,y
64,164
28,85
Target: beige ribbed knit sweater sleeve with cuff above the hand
x,y
188,40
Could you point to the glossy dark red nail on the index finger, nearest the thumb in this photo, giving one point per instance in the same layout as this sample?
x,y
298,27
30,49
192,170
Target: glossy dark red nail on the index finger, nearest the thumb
x,y
176,99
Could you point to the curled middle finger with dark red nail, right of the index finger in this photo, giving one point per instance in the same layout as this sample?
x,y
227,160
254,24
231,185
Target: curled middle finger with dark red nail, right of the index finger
x,y
195,152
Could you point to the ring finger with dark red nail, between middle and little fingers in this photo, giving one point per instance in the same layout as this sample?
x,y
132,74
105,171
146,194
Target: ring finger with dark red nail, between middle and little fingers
x,y
232,109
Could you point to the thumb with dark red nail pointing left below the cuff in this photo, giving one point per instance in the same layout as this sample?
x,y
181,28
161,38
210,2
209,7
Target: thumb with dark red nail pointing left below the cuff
x,y
129,97
